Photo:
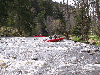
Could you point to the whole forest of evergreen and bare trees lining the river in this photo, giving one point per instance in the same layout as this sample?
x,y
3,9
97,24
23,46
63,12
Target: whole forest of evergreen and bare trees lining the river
x,y
34,17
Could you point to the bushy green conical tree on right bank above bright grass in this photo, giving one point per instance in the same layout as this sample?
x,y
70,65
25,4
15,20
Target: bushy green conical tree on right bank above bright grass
x,y
82,23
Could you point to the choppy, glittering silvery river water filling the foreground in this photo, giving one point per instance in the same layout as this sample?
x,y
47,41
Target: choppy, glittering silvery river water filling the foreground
x,y
33,56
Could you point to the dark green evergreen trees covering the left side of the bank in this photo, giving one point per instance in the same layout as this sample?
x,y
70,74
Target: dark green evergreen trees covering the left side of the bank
x,y
20,14
